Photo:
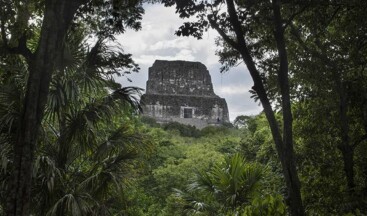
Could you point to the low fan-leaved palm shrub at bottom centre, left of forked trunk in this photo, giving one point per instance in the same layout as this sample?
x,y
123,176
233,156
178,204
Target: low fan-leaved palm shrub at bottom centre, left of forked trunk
x,y
224,188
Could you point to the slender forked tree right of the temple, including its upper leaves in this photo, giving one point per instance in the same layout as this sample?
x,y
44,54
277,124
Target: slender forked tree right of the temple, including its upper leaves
x,y
235,29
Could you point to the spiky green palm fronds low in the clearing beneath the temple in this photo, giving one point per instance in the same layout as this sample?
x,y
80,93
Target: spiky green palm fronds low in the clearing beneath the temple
x,y
233,183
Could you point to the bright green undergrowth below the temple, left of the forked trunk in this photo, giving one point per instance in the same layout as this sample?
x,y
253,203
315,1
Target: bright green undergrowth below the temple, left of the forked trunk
x,y
178,176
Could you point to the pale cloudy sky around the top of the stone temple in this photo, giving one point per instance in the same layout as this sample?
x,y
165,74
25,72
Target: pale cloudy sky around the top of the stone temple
x,y
157,41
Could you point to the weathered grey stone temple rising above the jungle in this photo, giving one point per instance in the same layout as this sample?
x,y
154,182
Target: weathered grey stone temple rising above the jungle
x,y
182,91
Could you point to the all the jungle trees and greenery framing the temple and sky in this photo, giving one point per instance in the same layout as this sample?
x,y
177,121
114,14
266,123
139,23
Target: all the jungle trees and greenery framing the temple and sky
x,y
72,141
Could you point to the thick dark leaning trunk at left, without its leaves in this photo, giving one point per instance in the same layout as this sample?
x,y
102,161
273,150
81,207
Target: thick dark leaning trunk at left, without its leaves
x,y
57,18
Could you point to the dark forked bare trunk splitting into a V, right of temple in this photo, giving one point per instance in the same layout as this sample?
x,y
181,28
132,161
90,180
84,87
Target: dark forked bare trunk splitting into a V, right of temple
x,y
283,145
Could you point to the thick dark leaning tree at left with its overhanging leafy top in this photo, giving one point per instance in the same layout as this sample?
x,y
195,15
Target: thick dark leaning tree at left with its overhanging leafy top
x,y
55,18
